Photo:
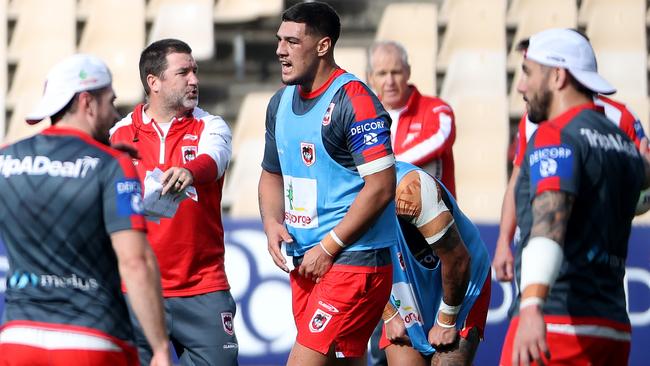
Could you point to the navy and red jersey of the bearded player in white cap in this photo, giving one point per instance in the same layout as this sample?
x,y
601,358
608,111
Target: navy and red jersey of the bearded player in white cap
x,y
584,155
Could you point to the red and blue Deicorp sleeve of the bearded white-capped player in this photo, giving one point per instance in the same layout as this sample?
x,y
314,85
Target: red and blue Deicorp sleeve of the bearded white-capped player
x,y
555,161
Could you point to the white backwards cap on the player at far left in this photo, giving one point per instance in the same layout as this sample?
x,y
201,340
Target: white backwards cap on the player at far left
x,y
74,74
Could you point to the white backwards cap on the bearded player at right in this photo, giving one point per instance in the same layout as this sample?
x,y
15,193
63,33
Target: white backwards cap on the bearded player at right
x,y
569,49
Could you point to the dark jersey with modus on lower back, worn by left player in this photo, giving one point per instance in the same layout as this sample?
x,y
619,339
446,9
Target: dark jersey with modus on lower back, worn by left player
x,y
62,194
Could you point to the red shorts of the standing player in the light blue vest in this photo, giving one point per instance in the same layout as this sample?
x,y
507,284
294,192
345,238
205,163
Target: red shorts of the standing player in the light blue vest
x,y
342,309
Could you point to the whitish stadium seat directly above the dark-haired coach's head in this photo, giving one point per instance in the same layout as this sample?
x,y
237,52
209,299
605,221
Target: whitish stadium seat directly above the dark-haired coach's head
x,y
172,19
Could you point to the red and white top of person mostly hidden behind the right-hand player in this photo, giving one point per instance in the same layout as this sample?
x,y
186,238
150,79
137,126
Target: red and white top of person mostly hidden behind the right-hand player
x,y
618,113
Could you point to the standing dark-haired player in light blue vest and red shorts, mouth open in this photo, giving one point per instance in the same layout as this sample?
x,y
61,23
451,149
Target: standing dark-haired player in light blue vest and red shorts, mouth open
x,y
326,191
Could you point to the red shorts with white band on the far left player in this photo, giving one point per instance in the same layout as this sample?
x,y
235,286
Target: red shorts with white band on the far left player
x,y
25,343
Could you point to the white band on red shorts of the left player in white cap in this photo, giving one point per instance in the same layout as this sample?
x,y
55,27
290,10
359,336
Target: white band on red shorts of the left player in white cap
x,y
55,339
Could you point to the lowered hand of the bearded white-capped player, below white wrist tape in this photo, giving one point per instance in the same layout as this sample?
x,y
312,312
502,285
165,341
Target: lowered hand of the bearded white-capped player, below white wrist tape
x,y
530,339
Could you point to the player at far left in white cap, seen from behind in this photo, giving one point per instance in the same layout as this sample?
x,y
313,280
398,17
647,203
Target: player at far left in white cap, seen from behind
x,y
71,218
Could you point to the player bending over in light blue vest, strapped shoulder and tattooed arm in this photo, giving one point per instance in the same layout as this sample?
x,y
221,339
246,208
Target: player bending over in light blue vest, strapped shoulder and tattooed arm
x,y
441,277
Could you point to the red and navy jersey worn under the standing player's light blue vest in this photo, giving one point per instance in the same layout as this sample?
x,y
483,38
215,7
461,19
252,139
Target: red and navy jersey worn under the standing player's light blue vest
x,y
355,130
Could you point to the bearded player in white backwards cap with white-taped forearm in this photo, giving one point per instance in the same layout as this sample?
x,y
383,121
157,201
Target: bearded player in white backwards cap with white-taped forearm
x,y
575,198
